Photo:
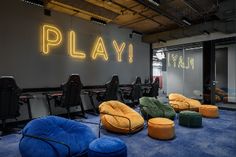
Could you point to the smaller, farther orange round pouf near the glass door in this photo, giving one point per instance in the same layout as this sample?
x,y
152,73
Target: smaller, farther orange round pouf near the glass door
x,y
209,111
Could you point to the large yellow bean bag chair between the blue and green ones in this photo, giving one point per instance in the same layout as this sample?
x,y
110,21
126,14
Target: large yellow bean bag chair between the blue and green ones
x,y
120,118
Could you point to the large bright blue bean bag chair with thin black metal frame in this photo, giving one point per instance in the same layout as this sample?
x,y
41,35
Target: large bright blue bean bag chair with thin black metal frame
x,y
74,134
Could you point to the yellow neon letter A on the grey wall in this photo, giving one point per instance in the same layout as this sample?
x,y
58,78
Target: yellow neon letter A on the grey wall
x,y
99,49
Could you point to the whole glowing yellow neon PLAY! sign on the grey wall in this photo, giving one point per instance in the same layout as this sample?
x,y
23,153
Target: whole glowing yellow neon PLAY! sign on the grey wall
x,y
52,38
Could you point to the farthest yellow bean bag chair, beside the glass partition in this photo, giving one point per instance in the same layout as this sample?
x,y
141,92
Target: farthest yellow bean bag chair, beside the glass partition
x,y
180,102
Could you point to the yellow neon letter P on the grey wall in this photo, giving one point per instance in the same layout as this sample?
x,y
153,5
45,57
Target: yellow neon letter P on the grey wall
x,y
51,37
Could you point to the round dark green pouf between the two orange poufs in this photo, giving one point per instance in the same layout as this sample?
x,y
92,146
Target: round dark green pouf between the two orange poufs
x,y
190,119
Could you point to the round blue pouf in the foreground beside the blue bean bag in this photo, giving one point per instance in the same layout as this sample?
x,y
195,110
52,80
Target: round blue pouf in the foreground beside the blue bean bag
x,y
107,147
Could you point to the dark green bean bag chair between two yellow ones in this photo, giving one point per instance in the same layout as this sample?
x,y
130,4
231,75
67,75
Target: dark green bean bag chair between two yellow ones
x,y
151,108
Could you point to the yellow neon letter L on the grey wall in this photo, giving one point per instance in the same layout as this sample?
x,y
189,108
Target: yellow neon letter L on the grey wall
x,y
72,49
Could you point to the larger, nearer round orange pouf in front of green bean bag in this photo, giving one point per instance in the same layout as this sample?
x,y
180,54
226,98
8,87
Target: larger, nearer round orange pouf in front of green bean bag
x,y
161,128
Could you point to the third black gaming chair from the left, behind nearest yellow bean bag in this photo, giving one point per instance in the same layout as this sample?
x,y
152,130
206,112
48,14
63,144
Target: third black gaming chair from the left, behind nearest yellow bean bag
x,y
112,90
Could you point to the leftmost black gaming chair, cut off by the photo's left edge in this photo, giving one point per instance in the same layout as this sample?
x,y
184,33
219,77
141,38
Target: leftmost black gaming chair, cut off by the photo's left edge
x,y
9,99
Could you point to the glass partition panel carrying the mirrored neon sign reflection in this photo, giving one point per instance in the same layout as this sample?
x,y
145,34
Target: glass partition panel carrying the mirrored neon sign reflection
x,y
182,71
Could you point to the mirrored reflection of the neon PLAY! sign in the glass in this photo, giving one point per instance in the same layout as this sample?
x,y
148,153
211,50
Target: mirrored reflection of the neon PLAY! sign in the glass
x,y
178,61
